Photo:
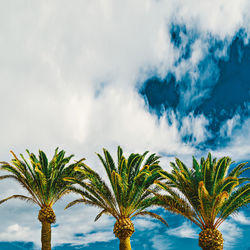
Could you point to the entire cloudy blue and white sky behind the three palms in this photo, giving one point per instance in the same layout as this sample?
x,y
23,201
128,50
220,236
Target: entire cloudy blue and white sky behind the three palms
x,y
171,77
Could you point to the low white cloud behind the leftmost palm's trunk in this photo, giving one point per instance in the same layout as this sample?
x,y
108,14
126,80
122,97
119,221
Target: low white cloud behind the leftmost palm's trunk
x,y
20,223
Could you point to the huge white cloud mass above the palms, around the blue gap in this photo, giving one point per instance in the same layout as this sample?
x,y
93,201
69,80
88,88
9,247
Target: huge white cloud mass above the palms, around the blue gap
x,y
69,76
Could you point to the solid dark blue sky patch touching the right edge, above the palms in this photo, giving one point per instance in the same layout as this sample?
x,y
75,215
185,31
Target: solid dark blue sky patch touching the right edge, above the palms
x,y
231,94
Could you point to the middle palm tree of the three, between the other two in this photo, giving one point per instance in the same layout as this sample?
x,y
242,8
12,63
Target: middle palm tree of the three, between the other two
x,y
129,195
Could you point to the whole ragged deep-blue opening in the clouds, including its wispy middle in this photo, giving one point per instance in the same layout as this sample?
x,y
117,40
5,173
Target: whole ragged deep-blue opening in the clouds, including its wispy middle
x,y
223,85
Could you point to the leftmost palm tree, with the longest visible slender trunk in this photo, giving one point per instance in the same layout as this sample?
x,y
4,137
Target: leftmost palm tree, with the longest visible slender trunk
x,y
44,182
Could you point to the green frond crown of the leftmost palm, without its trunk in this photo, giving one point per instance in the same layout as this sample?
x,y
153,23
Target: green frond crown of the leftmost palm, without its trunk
x,y
43,179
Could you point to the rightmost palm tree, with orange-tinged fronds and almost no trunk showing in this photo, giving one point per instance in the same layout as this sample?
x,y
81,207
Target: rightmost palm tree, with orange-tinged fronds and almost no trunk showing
x,y
212,191
